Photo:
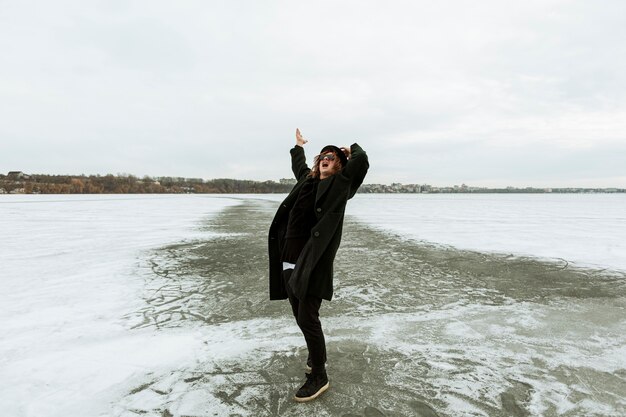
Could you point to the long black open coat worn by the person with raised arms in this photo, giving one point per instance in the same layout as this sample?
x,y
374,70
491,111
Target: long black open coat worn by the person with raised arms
x,y
313,274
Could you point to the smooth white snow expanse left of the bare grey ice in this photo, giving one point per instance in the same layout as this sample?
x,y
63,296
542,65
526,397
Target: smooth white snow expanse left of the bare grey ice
x,y
68,275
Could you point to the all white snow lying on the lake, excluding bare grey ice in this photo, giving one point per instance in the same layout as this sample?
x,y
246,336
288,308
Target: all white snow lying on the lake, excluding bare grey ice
x,y
70,276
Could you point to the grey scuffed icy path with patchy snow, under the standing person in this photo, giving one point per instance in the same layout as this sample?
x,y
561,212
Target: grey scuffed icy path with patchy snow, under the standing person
x,y
413,330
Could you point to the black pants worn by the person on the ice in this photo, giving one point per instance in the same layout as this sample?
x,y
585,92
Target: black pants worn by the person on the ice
x,y
307,314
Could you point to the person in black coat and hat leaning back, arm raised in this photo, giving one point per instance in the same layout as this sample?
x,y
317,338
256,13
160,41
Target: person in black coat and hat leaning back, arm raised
x,y
303,239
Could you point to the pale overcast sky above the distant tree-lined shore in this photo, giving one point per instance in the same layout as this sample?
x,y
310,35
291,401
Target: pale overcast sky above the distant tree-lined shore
x,y
487,93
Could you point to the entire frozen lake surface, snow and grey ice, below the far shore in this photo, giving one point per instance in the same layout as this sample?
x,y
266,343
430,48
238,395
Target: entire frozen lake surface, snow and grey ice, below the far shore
x,y
445,305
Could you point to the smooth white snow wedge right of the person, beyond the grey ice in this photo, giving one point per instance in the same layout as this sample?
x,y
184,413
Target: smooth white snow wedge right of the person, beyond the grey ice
x,y
588,229
